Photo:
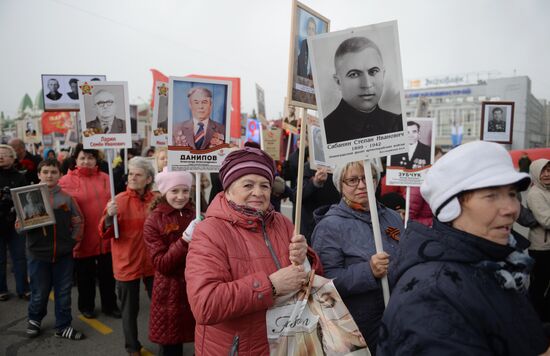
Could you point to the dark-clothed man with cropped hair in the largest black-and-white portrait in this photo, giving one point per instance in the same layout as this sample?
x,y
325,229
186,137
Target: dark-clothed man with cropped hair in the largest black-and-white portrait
x,y
359,73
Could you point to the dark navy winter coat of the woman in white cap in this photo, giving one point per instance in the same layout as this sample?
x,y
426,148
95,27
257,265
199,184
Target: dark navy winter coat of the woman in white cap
x,y
448,300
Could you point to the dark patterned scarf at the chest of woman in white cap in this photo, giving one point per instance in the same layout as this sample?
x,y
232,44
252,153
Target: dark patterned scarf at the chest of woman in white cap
x,y
513,272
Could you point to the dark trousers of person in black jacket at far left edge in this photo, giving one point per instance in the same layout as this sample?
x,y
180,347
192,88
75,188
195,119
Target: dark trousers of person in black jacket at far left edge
x,y
10,239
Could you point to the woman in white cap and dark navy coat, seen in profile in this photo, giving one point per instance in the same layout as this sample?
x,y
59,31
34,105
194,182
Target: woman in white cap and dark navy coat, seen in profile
x,y
462,284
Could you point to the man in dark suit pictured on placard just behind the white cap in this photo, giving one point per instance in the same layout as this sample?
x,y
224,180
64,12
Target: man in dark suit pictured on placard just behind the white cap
x,y
419,154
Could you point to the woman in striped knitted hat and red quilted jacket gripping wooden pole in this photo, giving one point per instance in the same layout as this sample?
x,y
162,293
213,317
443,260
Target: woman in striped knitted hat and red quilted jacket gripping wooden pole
x,y
240,257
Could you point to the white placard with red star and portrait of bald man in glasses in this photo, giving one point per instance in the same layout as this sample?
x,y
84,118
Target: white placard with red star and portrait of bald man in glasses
x,y
105,114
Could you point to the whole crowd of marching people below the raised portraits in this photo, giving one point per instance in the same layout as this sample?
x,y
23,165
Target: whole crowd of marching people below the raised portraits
x,y
462,280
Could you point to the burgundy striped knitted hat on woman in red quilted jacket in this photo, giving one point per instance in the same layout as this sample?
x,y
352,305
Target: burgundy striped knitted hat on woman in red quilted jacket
x,y
245,161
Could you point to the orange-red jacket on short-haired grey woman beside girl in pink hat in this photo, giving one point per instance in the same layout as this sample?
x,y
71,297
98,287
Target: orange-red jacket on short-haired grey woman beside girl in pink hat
x,y
130,258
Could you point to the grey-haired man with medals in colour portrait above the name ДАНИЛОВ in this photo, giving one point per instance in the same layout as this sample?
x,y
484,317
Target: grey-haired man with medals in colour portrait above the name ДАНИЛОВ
x,y
198,132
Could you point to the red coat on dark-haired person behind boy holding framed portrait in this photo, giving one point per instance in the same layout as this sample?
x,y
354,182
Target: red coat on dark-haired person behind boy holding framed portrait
x,y
90,188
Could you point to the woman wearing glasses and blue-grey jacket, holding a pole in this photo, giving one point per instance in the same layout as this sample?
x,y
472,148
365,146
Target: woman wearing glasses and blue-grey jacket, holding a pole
x,y
344,240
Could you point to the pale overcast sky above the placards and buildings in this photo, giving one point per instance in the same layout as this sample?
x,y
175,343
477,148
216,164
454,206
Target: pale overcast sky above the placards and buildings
x,y
249,39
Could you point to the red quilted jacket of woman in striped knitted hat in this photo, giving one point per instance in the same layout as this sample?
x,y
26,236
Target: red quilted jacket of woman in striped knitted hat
x,y
227,277
